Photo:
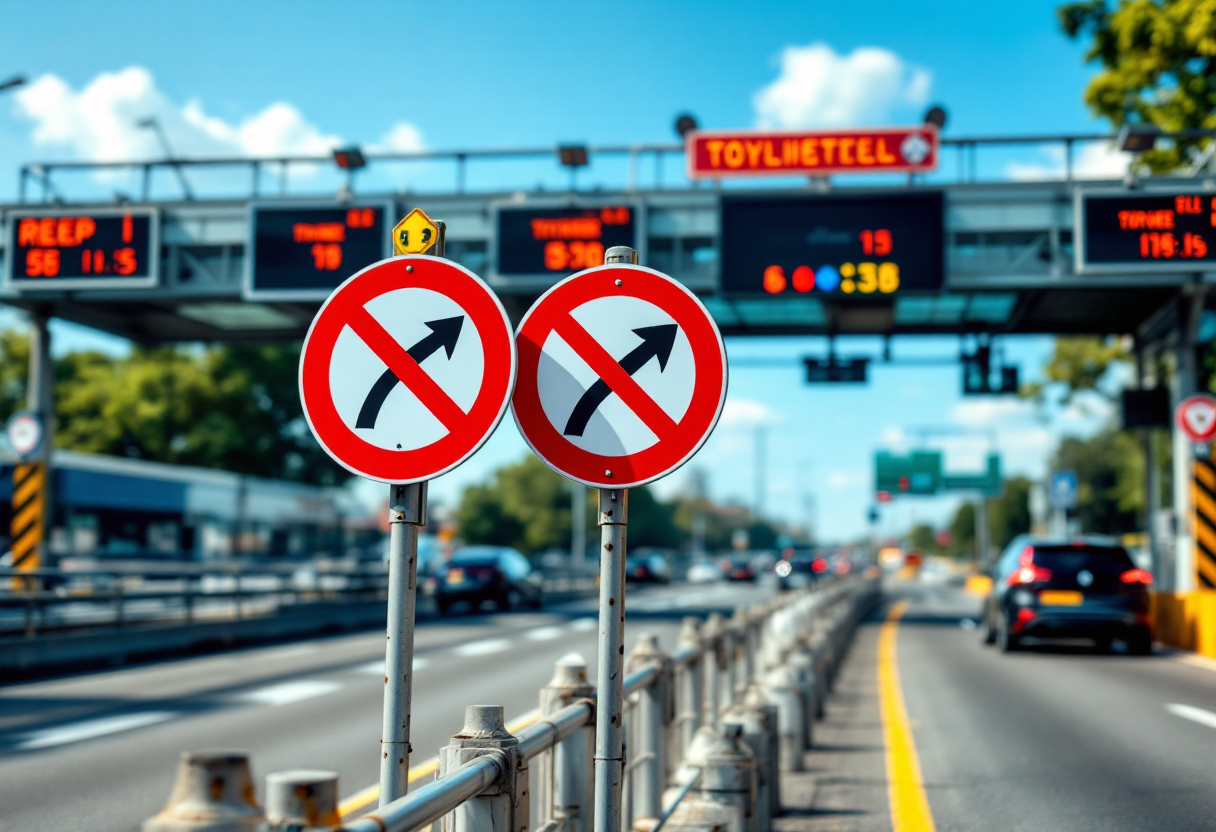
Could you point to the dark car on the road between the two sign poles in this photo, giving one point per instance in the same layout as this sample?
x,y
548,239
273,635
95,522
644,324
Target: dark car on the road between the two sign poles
x,y
488,574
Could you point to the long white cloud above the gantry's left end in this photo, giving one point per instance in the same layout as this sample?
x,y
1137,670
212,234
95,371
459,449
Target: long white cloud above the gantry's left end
x,y
100,122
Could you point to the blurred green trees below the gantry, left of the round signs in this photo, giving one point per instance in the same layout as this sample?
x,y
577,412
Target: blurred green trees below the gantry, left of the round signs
x,y
233,407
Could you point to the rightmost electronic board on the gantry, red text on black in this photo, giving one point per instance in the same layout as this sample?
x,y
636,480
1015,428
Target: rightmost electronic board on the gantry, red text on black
x,y
1139,232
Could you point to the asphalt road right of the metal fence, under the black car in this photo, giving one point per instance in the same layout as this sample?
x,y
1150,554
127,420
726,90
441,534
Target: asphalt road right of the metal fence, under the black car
x,y
1056,739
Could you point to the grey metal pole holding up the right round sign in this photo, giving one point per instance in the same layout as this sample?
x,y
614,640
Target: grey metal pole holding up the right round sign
x,y
611,677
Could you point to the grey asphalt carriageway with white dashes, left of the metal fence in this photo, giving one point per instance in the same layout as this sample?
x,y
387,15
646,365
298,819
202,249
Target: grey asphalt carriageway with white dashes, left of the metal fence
x,y
99,751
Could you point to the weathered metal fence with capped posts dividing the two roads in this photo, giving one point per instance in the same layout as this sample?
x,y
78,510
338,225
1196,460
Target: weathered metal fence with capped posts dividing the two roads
x,y
708,728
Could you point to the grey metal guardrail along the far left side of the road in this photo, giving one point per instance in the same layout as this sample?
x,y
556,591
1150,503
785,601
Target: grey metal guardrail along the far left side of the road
x,y
50,600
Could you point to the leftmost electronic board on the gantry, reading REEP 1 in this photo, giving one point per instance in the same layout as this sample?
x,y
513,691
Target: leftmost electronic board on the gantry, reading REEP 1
x,y
105,249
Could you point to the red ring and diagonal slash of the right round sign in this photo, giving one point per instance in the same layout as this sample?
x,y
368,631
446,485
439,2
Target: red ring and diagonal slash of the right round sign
x,y
678,441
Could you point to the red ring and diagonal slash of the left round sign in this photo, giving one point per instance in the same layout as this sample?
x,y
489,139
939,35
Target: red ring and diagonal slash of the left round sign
x,y
466,431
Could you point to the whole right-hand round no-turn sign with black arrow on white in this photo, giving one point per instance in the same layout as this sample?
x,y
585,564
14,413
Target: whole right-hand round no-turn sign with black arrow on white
x,y
622,376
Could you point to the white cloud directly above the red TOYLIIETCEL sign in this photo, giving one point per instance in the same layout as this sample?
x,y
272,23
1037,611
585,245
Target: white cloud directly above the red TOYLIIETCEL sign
x,y
818,87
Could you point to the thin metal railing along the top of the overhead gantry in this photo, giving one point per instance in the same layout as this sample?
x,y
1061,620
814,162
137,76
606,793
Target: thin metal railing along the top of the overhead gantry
x,y
966,164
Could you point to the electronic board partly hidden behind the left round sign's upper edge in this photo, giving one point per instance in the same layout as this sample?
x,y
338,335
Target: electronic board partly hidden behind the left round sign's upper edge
x,y
303,252
